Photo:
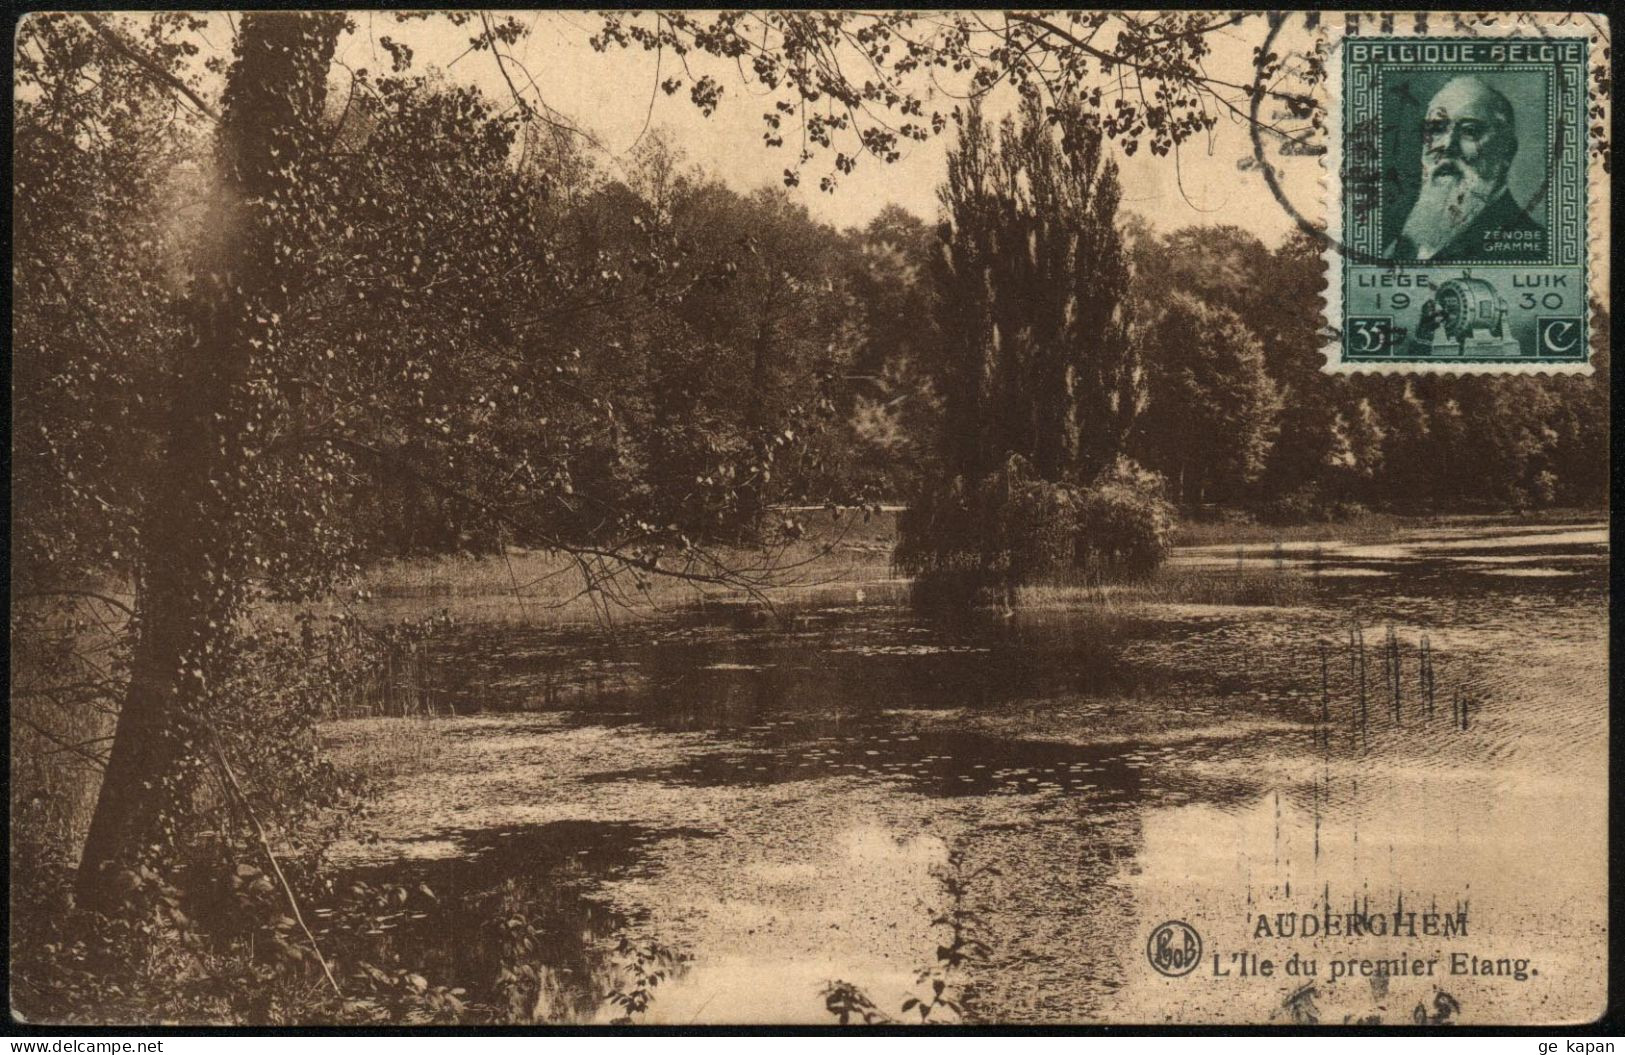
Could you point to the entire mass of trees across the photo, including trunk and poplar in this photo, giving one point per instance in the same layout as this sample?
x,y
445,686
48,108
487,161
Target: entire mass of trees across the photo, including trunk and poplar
x,y
264,339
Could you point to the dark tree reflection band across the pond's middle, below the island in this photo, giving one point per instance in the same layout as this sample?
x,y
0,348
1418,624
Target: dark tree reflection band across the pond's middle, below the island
x,y
706,674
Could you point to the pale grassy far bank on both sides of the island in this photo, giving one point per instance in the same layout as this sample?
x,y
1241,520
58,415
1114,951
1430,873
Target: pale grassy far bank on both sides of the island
x,y
847,560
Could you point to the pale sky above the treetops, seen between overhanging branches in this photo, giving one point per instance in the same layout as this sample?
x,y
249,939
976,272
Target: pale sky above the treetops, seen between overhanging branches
x,y
613,95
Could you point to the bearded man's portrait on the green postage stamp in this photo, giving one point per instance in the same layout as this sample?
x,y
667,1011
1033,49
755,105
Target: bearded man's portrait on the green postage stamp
x,y
1463,209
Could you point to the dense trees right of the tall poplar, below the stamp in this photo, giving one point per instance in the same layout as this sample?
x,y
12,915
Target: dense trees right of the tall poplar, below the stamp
x,y
1241,412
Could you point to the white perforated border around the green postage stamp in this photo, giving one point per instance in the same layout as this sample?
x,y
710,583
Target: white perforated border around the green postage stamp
x,y
1598,206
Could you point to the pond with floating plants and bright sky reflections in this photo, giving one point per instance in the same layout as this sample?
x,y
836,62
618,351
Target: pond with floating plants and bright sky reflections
x,y
774,805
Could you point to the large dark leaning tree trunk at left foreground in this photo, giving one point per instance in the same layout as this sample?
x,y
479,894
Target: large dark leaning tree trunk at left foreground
x,y
194,545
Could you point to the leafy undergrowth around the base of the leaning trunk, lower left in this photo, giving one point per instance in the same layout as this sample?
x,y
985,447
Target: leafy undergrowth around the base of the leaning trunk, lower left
x,y
206,932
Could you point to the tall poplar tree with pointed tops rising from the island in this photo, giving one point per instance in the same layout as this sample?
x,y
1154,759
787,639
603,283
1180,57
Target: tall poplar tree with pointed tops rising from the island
x,y
1031,298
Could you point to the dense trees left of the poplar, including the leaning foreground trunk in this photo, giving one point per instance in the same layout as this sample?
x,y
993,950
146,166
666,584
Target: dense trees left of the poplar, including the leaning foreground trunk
x,y
269,337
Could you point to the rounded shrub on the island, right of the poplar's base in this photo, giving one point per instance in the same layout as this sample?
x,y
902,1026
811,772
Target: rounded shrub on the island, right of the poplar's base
x,y
1125,524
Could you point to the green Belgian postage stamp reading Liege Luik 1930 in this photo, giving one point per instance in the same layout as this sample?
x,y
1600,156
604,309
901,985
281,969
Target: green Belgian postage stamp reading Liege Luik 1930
x,y
1460,204
